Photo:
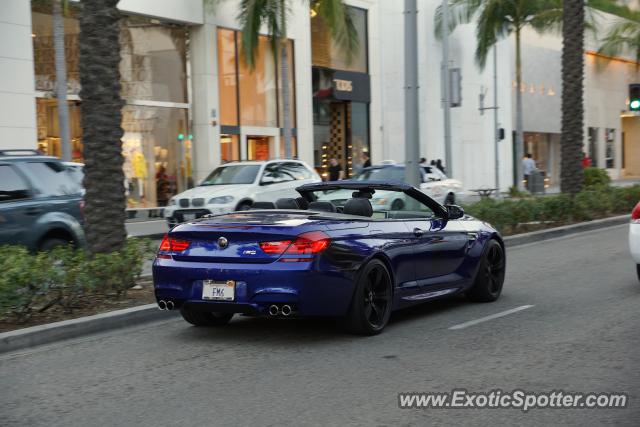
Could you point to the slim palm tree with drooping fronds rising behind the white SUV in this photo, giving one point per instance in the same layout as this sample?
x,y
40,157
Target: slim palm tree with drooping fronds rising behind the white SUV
x,y
274,14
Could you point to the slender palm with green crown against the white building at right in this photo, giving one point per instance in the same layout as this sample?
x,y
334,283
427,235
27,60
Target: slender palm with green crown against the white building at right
x,y
498,19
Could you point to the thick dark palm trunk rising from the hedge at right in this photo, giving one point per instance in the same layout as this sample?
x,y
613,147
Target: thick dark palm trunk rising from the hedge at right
x,y
571,173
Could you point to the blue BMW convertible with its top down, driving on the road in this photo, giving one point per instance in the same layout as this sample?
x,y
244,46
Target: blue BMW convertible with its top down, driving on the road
x,y
305,257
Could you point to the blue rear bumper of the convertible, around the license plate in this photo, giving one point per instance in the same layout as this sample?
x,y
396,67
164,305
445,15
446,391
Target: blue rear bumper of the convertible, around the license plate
x,y
311,288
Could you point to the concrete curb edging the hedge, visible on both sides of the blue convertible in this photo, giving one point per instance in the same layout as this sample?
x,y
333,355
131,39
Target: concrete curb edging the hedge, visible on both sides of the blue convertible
x,y
44,334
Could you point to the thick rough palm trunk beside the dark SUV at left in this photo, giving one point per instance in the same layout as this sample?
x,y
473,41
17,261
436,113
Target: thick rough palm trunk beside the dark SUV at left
x,y
101,125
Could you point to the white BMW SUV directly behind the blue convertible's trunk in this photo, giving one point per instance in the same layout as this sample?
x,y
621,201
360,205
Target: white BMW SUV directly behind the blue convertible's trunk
x,y
237,186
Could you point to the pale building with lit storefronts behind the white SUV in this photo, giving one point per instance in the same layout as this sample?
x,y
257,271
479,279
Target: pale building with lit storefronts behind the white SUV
x,y
191,101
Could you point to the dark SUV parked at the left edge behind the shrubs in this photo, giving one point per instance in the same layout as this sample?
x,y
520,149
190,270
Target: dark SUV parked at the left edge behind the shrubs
x,y
40,202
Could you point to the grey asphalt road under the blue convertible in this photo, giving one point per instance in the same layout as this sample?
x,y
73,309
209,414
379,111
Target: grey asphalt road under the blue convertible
x,y
582,334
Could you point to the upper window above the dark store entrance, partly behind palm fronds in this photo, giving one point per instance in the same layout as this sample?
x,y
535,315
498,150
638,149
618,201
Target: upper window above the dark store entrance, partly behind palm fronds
x,y
326,53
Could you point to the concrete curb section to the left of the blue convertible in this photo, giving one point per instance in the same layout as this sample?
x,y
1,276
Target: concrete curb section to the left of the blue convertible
x,y
72,328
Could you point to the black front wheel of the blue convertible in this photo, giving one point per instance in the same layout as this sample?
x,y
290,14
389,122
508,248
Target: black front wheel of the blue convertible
x,y
489,279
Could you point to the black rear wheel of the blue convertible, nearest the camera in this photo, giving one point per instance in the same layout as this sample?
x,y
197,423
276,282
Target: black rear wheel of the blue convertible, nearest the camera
x,y
371,303
